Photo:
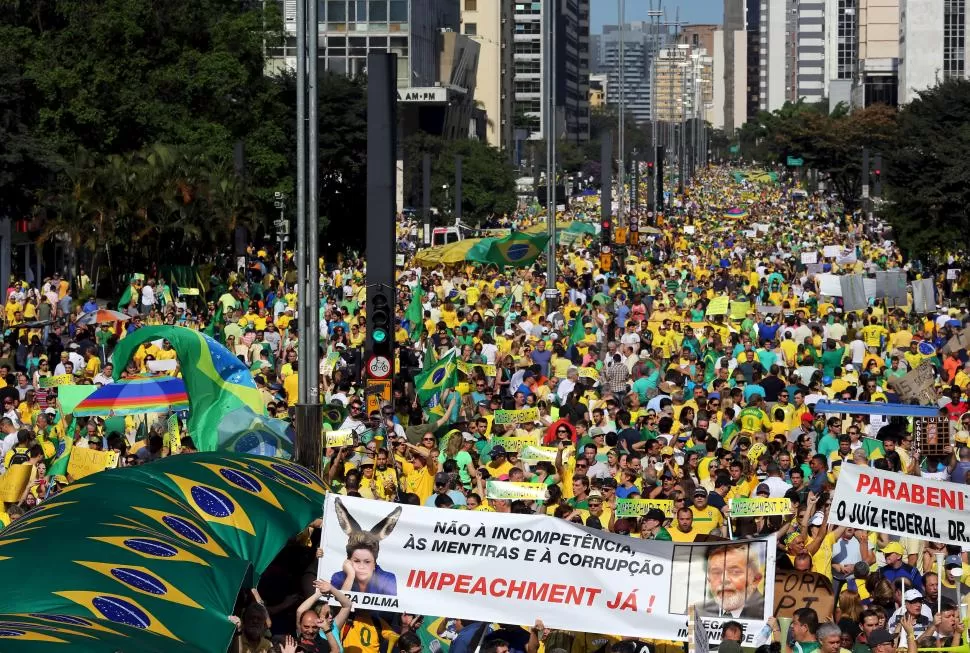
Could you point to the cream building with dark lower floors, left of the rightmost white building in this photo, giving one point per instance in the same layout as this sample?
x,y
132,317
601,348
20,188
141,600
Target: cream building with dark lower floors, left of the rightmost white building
x,y
876,80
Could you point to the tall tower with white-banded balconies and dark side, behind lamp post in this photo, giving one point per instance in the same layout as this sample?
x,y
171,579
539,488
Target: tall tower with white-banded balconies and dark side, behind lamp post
x,y
570,60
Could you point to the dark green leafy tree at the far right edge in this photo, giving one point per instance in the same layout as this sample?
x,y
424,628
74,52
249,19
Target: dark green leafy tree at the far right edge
x,y
928,183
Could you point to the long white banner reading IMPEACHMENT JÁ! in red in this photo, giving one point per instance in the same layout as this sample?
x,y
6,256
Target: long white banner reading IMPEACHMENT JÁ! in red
x,y
511,568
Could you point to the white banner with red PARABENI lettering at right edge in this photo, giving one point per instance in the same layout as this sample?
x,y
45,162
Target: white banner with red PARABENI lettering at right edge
x,y
909,506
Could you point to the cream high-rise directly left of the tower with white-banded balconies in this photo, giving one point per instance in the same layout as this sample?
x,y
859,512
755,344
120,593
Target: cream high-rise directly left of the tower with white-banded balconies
x,y
489,24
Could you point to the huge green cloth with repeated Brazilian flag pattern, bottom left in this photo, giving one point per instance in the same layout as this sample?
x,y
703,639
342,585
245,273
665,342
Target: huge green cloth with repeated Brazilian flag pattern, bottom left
x,y
151,558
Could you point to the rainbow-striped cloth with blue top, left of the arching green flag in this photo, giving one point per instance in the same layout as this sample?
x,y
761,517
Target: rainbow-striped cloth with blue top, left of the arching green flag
x,y
135,396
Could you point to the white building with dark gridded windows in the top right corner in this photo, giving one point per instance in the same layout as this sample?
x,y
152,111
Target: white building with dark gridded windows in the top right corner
x,y
932,44
